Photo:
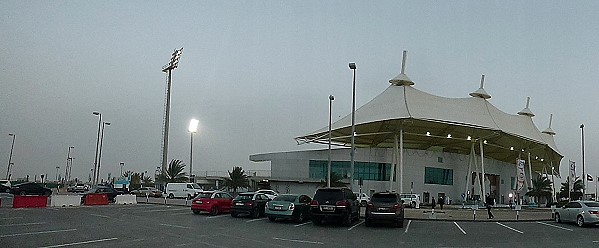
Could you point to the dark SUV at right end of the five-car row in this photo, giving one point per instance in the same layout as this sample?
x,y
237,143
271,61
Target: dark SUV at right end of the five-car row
x,y
385,207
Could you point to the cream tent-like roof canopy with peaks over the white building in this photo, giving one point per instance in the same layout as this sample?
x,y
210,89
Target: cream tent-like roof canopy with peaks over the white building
x,y
432,122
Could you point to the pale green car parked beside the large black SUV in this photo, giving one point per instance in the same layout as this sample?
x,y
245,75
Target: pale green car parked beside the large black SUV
x,y
289,206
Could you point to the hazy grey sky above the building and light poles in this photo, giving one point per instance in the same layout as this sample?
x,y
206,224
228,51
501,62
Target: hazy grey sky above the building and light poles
x,y
258,73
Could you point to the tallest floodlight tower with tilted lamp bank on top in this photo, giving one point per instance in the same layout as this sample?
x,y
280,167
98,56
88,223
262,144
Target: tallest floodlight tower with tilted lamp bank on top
x,y
168,68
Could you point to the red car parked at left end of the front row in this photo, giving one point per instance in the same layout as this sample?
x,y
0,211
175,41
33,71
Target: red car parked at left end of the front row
x,y
214,202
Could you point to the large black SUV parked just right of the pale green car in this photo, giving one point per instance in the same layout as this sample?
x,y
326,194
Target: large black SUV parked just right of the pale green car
x,y
334,204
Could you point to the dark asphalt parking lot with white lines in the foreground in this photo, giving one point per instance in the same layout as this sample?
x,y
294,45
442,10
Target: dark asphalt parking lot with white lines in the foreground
x,y
176,226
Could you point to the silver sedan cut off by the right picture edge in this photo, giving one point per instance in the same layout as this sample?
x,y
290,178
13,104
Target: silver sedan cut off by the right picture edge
x,y
580,212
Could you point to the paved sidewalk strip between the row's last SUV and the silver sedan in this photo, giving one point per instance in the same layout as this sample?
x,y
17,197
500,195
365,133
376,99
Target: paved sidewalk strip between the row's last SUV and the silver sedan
x,y
459,214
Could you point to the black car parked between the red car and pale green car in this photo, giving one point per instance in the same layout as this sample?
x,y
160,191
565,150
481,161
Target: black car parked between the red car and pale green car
x,y
250,203
